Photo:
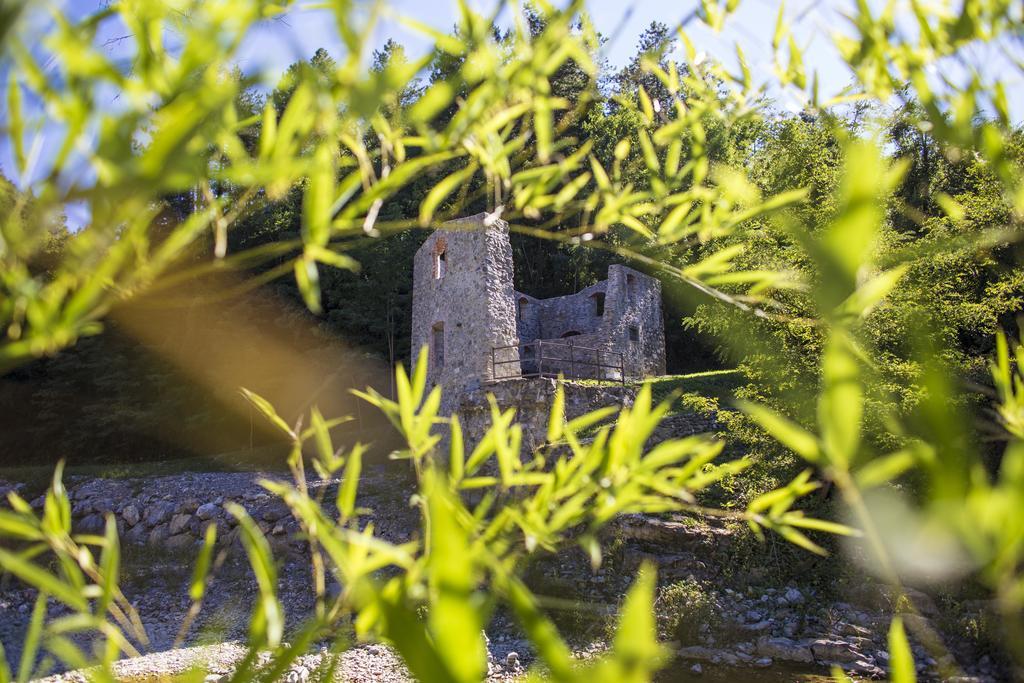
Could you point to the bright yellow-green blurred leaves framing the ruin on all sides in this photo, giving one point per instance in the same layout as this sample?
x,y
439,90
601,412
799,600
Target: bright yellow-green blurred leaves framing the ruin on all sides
x,y
860,262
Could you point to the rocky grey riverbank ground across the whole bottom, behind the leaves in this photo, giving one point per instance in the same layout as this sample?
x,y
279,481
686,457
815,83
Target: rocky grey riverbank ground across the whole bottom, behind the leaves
x,y
748,630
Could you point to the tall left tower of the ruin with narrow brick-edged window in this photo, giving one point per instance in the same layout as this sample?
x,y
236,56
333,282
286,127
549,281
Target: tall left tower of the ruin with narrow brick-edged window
x,y
464,305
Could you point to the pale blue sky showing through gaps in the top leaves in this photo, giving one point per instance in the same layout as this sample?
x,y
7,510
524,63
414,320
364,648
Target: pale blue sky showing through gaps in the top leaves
x,y
297,35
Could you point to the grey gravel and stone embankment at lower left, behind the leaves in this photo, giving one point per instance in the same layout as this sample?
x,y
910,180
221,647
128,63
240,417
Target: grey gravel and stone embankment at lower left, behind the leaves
x,y
156,581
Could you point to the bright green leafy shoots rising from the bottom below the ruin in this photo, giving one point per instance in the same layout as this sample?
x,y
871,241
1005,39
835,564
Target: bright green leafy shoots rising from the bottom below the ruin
x,y
433,597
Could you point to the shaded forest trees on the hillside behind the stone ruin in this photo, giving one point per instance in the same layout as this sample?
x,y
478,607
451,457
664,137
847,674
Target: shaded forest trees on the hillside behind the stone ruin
x,y
113,398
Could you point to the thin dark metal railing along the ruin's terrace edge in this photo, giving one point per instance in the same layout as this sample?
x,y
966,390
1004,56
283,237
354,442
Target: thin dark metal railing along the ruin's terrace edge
x,y
546,358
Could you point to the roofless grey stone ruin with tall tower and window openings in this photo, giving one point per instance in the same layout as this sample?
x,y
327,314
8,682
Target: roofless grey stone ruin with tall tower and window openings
x,y
482,332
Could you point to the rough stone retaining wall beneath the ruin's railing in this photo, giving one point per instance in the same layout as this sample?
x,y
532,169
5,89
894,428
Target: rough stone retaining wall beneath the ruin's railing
x,y
532,398
